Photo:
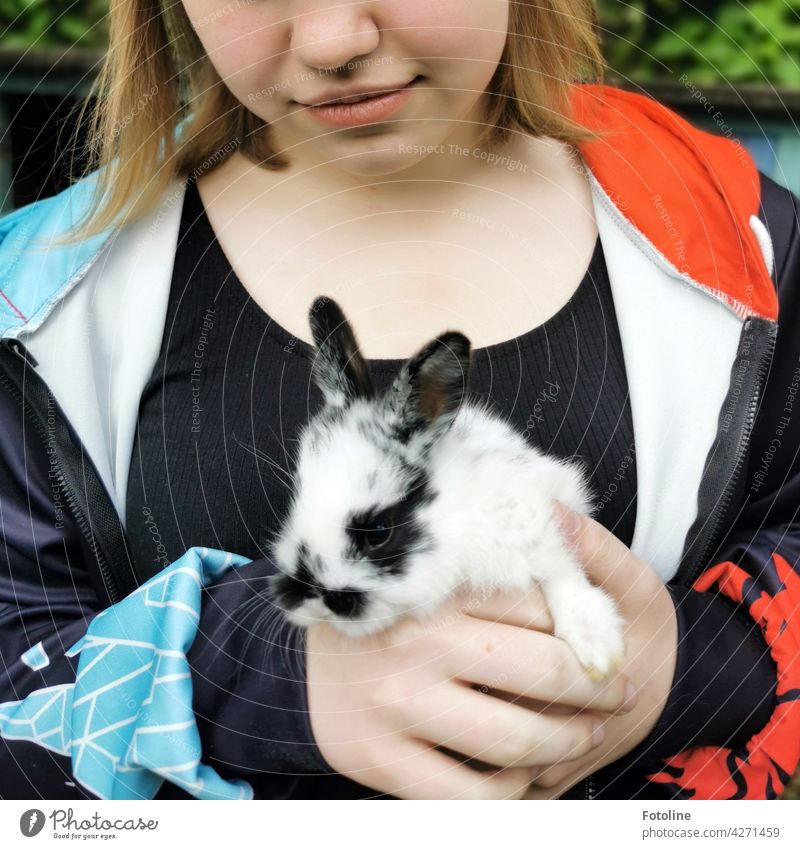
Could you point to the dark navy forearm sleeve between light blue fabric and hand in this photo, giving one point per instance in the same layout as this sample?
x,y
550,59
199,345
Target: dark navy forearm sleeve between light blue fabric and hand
x,y
248,672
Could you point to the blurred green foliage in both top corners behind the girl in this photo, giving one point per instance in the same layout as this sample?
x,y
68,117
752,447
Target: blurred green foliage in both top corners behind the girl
x,y
645,40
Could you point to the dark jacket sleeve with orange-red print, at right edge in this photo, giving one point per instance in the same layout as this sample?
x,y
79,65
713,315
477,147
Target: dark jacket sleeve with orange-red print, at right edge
x,y
752,587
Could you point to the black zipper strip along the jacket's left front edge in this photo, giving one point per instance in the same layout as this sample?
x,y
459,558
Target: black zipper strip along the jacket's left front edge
x,y
75,477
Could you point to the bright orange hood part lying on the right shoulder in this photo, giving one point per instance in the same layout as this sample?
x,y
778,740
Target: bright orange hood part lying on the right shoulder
x,y
689,192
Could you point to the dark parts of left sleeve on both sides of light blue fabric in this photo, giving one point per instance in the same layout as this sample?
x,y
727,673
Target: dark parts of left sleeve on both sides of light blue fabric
x,y
249,699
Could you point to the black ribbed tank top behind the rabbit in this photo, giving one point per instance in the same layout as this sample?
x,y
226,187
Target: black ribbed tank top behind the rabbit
x,y
221,412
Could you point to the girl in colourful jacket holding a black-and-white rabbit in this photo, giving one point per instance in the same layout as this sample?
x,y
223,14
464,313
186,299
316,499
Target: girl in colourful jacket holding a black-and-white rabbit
x,y
620,275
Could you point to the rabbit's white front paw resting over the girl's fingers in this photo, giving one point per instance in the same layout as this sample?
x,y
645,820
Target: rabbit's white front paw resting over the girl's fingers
x,y
588,621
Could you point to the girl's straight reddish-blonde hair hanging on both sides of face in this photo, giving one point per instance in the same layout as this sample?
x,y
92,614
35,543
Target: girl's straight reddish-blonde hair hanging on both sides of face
x,y
156,75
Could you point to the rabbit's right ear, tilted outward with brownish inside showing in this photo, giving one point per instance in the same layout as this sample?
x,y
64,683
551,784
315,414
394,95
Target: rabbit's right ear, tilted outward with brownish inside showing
x,y
429,389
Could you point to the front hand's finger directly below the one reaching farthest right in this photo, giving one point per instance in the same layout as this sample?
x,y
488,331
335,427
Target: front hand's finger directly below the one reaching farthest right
x,y
499,733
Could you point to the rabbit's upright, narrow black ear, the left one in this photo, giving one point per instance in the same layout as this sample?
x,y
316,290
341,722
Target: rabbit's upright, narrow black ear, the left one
x,y
338,369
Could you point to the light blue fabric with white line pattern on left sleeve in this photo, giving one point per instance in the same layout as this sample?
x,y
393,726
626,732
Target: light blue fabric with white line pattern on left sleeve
x,y
127,721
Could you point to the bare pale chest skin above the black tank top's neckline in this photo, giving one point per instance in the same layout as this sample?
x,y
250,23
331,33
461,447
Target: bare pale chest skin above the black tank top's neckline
x,y
492,269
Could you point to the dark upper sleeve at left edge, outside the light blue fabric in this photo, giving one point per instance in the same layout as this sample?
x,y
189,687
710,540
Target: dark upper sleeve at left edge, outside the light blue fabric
x,y
46,600
